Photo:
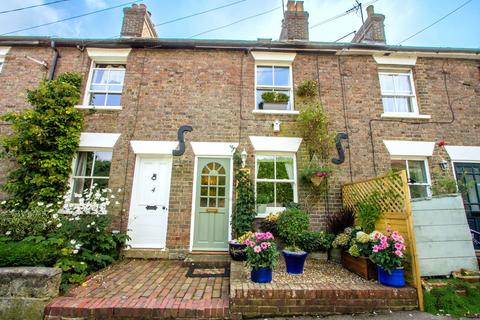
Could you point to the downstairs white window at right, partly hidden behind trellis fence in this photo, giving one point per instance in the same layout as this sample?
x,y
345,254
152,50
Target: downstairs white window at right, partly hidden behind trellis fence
x,y
418,176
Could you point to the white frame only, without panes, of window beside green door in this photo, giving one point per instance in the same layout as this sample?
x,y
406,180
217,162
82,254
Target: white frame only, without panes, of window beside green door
x,y
295,180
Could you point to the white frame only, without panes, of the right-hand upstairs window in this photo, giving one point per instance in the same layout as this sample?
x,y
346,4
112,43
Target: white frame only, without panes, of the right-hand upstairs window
x,y
412,96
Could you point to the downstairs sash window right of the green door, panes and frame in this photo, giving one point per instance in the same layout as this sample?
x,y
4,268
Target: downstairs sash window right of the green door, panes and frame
x,y
275,182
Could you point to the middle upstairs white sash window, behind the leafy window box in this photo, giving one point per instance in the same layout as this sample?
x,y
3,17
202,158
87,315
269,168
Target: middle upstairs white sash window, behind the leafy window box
x,y
273,78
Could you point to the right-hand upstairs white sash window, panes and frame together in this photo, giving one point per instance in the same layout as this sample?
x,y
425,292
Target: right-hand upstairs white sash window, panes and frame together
x,y
398,92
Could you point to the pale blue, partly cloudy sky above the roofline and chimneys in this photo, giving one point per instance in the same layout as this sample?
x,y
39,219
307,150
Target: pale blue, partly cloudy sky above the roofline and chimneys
x,y
403,18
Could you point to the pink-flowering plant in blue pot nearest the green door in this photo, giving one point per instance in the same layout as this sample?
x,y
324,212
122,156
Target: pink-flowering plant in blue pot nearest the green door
x,y
262,256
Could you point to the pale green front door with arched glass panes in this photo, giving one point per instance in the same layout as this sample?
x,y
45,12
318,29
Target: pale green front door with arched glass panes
x,y
212,204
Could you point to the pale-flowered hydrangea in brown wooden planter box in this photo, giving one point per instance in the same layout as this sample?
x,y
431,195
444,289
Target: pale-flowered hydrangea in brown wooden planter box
x,y
356,259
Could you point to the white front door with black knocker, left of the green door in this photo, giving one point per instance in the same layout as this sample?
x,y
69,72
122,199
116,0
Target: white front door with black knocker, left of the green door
x,y
148,217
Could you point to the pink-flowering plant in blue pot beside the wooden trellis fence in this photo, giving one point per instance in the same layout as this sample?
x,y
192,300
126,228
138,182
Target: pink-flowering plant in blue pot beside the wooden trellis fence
x,y
388,253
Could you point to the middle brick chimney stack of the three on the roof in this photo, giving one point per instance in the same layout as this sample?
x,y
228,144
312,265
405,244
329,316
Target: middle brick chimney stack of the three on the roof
x,y
295,22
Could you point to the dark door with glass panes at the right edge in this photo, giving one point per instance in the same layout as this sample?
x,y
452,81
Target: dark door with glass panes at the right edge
x,y
468,176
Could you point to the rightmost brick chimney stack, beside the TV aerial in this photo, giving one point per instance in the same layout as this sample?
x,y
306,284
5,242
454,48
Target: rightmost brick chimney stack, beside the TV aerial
x,y
373,30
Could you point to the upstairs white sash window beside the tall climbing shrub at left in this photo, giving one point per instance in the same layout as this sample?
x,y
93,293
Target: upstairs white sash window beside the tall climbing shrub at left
x,y
105,85
